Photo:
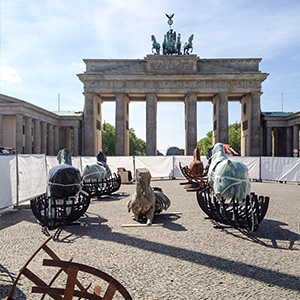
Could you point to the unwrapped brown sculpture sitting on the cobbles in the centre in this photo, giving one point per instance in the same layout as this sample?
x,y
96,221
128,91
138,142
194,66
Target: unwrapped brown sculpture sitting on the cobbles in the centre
x,y
146,201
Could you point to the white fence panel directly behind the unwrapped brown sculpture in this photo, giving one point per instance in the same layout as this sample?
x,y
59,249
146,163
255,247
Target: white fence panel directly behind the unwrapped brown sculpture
x,y
159,166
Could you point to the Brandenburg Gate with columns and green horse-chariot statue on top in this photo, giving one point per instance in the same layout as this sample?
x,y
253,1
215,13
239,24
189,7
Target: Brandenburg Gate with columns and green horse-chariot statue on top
x,y
180,77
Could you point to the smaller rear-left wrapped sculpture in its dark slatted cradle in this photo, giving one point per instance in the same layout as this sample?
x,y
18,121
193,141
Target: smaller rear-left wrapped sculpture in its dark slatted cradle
x,y
98,180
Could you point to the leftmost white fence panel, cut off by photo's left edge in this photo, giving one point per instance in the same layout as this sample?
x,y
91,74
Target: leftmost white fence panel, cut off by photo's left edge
x,y
8,181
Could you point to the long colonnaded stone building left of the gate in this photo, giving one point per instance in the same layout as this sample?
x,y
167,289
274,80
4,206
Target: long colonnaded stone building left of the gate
x,y
33,130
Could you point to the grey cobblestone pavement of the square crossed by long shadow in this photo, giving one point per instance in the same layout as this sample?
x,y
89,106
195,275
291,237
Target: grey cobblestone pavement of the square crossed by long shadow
x,y
184,257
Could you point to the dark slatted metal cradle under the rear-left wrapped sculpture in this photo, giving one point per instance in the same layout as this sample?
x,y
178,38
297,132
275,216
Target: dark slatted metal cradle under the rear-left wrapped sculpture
x,y
106,186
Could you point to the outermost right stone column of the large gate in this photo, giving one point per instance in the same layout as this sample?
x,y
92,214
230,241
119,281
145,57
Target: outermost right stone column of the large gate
x,y
254,125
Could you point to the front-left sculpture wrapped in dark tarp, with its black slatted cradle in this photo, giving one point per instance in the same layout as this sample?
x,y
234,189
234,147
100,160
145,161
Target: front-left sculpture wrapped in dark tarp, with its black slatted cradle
x,y
64,201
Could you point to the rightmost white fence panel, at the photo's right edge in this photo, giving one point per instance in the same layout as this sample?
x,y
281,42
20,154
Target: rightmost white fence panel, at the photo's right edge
x,y
280,168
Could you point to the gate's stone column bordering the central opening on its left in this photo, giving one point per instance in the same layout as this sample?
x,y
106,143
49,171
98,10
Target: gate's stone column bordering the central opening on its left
x,y
151,124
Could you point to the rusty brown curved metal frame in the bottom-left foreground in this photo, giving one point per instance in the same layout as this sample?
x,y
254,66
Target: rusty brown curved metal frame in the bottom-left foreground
x,y
72,287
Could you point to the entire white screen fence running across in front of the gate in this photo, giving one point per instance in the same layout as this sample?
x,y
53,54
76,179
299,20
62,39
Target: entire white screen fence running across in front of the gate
x,y
25,176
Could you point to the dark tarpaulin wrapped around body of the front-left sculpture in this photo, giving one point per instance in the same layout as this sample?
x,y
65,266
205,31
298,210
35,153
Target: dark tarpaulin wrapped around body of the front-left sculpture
x,y
64,181
